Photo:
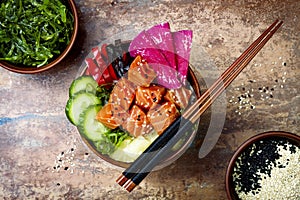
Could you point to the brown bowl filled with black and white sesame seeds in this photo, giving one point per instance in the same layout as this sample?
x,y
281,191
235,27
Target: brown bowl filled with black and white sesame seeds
x,y
266,166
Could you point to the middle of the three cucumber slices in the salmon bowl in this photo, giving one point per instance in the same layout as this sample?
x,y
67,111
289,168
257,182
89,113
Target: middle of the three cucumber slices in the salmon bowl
x,y
77,105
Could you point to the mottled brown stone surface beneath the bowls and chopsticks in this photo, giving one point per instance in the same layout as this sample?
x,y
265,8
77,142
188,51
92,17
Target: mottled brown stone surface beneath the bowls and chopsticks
x,y
36,136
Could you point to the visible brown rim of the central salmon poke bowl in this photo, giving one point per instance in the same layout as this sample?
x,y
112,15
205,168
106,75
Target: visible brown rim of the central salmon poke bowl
x,y
194,83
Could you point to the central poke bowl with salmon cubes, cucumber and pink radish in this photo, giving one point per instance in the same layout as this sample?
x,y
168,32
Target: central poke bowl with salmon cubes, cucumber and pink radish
x,y
130,100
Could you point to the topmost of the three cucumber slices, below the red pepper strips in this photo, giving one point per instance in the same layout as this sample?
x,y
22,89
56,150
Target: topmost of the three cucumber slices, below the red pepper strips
x,y
83,83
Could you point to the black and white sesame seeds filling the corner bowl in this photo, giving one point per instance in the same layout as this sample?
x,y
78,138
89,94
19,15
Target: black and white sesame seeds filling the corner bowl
x,y
271,170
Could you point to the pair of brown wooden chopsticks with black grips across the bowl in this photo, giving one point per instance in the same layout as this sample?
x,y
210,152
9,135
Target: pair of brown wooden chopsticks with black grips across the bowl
x,y
159,149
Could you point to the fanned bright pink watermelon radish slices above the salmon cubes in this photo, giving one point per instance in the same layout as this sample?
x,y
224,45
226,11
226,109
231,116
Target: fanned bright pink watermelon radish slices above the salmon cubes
x,y
166,52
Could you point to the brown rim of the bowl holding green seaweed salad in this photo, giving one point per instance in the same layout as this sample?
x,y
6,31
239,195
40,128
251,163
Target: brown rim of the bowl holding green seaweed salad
x,y
33,70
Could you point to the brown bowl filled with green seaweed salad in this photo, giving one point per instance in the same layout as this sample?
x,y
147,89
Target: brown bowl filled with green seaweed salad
x,y
41,38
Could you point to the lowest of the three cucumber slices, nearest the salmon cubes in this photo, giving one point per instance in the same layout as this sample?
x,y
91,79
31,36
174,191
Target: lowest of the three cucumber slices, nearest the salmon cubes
x,y
89,126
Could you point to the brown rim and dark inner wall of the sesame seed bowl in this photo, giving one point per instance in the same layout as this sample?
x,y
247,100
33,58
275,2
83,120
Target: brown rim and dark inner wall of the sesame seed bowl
x,y
229,184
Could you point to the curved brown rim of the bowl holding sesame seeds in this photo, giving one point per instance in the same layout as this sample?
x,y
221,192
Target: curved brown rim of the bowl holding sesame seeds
x,y
269,134
